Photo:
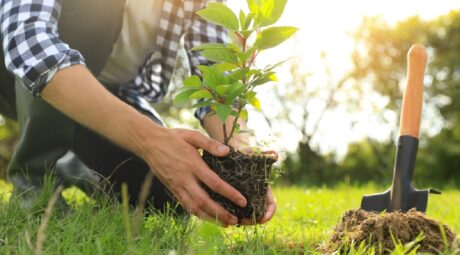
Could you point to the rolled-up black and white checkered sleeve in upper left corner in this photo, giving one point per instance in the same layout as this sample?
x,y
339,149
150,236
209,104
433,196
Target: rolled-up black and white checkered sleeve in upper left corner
x,y
32,49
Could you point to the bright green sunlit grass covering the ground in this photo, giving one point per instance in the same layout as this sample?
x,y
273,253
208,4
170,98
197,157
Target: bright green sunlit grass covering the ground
x,y
304,220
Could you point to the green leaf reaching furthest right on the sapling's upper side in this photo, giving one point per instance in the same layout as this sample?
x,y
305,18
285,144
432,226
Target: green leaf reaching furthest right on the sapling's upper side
x,y
273,36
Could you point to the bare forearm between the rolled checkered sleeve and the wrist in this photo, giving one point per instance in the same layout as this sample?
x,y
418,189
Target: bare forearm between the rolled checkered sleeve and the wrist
x,y
76,93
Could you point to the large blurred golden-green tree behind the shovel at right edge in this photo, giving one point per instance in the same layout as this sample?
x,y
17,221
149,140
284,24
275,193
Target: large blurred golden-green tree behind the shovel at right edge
x,y
380,59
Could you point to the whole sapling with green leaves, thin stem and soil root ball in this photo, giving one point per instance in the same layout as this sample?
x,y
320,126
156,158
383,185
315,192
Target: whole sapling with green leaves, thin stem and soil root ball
x,y
228,85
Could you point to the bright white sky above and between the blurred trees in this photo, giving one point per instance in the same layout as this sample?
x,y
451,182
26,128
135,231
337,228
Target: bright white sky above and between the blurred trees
x,y
325,26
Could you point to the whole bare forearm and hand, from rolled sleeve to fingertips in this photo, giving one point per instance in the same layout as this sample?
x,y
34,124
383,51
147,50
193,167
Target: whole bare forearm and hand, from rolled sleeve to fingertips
x,y
172,153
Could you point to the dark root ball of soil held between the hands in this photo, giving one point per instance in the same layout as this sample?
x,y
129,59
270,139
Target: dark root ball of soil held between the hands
x,y
247,173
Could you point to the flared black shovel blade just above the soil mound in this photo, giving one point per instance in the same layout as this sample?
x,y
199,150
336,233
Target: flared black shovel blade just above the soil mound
x,y
411,198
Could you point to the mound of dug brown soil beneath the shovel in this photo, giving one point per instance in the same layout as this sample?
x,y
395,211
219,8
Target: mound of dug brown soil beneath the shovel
x,y
376,229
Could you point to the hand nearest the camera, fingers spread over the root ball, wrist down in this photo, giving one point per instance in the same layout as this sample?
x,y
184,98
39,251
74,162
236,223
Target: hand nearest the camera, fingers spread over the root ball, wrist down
x,y
173,154
